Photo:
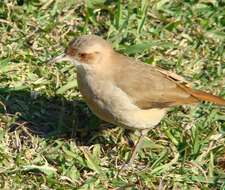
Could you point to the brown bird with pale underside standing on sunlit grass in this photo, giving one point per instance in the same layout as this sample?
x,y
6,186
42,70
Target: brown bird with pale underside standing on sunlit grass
x,y
125,91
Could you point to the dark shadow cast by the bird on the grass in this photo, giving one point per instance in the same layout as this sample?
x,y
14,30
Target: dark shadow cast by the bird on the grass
x,y
51,117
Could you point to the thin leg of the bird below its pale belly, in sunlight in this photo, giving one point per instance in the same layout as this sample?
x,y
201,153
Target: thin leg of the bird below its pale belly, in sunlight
x,y
137,147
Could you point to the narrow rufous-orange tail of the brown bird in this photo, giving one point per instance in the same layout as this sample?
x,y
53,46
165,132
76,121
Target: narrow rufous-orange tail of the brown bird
x,y
204,96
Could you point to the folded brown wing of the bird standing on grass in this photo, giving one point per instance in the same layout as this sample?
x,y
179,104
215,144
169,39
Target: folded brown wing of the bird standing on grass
x,y
150,87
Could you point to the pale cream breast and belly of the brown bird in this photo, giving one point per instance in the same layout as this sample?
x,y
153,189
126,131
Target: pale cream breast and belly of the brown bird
x,y
111,104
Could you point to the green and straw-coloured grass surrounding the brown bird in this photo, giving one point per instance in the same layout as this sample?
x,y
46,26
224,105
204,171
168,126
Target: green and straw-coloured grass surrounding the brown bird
x,y
49,139
